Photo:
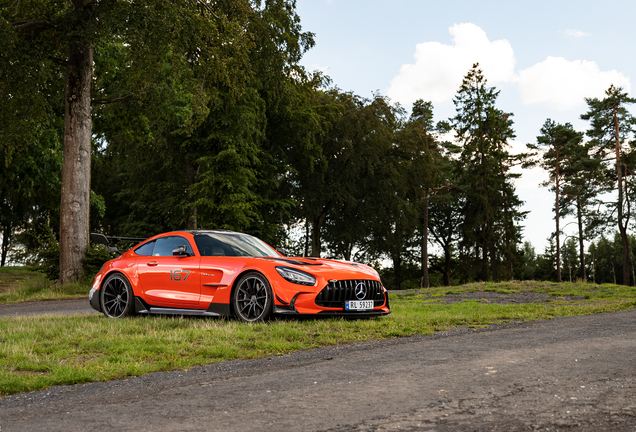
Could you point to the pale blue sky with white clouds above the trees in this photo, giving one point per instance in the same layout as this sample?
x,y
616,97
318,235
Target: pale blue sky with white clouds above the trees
x,y
545,57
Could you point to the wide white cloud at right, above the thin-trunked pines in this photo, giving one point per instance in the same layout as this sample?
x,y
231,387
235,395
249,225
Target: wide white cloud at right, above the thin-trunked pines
x,y
564,84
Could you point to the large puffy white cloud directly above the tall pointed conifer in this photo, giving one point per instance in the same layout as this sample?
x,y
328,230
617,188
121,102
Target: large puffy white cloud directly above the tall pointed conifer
x,y
438,69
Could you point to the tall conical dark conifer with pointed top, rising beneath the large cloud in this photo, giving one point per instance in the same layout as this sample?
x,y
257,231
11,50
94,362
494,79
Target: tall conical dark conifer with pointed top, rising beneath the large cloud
x,y
490,231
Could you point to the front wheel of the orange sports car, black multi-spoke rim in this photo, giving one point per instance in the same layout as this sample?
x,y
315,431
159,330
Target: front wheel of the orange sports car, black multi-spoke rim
x,y
252,298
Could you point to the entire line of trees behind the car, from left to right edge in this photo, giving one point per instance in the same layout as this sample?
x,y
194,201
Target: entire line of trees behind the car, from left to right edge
x,y
135,118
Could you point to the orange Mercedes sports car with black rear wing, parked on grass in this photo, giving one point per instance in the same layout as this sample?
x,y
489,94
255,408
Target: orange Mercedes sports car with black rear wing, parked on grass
x,y
225,273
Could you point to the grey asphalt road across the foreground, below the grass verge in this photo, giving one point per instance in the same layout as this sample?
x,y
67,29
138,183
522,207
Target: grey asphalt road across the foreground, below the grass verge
x,y
575,373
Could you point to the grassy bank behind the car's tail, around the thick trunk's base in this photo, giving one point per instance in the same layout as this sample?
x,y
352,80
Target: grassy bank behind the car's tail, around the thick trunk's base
x,y
20,284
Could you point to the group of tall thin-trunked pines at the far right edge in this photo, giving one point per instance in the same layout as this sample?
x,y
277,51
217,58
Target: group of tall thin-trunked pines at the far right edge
x,y
592,180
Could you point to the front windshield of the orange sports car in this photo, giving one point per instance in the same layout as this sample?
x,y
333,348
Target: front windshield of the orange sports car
x,y
231,244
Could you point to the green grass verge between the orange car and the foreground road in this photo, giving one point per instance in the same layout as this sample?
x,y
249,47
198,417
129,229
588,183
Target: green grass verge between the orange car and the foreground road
x,y
38,352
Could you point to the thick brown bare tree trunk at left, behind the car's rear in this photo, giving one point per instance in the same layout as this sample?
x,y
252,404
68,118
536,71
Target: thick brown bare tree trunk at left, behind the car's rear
x,y
76,168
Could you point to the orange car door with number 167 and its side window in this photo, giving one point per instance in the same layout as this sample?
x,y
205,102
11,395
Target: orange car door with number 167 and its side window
x,y
169,280
